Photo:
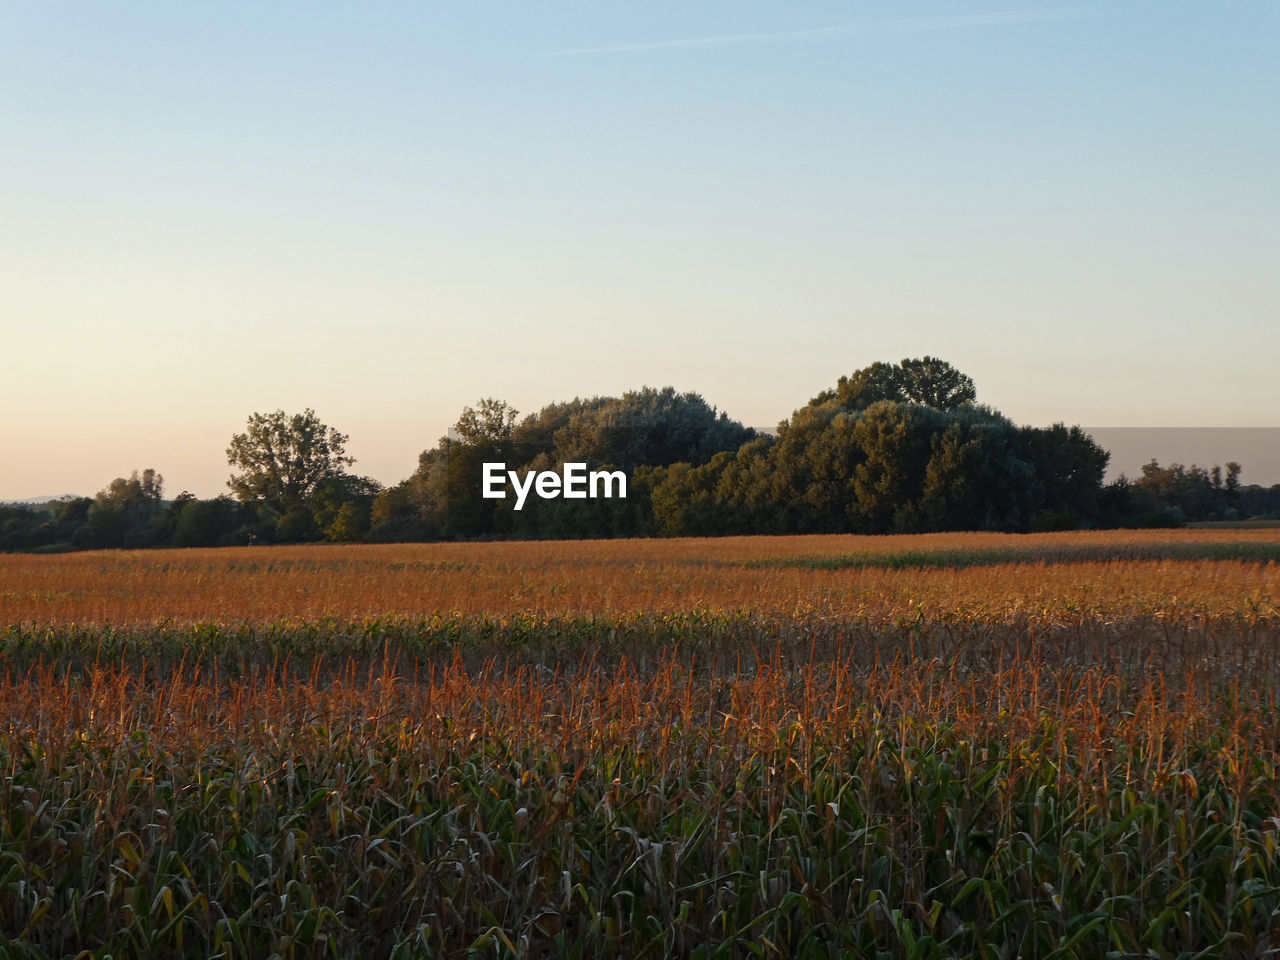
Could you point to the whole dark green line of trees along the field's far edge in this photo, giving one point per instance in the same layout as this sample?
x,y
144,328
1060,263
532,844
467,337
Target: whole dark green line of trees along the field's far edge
x,y
890,449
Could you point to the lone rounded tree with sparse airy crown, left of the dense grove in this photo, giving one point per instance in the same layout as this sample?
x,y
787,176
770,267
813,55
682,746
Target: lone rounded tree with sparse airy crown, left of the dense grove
x,y
282,459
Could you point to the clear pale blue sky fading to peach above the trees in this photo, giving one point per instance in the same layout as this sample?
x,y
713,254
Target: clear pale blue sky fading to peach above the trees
x,y
388,211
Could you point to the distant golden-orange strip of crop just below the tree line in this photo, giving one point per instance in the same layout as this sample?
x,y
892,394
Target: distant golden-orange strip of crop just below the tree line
x,y
1109,574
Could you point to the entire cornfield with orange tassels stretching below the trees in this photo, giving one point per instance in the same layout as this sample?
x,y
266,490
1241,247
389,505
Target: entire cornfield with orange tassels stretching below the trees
x,y
936,747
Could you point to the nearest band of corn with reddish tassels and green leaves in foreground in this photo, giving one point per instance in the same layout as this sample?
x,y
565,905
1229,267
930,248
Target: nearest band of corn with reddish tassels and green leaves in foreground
x,y
796,808
